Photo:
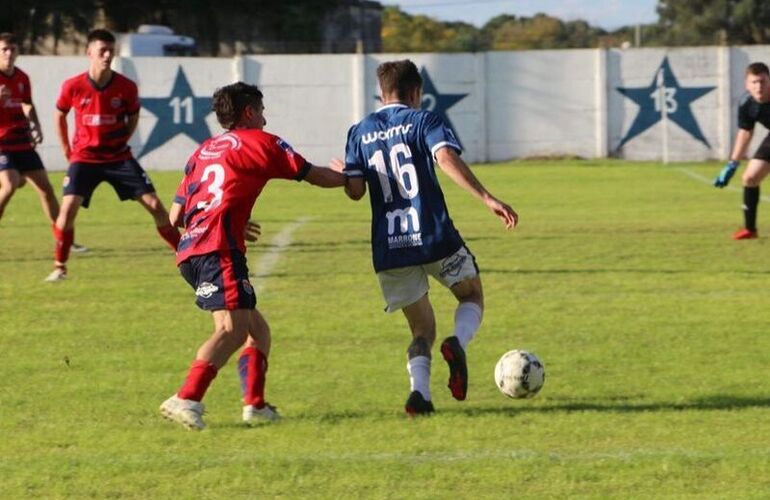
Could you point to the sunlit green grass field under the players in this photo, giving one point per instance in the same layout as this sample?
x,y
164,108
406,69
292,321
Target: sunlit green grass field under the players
x,y
652,323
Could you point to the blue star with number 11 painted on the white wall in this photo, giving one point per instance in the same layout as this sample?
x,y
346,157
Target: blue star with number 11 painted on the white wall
x,y
179,113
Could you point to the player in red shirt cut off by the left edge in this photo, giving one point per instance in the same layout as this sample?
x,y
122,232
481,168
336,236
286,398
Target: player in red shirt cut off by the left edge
x,y
19,133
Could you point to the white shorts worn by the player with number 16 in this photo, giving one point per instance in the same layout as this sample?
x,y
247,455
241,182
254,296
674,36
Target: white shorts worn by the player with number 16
x,y
406,285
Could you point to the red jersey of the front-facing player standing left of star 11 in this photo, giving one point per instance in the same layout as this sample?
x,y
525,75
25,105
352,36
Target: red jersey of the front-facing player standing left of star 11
x,y
101,133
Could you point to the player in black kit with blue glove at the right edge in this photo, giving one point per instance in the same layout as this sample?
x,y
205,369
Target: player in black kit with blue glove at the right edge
x,y
755,107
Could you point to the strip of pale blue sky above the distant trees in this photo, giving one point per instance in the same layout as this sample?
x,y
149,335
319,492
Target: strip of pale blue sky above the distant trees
x,y
607,14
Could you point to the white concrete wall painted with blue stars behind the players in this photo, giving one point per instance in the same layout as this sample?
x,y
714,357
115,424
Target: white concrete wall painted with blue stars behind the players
x,y
502,105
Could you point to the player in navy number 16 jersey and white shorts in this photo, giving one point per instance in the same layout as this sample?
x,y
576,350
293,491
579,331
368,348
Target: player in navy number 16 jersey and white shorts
x,y
393,152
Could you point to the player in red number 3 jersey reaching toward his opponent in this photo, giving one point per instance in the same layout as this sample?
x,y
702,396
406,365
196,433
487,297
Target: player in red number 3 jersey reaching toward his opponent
x,y
222,181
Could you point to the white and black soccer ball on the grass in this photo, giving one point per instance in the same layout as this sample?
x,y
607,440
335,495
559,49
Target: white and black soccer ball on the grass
x,y
519,374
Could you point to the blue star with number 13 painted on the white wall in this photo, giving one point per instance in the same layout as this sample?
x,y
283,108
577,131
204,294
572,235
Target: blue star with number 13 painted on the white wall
x,y
677,101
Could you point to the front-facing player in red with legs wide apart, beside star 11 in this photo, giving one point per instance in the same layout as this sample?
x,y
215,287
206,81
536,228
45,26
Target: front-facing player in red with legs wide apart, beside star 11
x,y
106,106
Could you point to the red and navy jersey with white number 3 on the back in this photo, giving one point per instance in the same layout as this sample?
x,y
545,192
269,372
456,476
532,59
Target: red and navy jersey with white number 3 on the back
x,y
222,181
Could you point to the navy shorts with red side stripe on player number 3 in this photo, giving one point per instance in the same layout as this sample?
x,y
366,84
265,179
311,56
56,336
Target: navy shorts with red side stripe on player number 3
x,y
220,280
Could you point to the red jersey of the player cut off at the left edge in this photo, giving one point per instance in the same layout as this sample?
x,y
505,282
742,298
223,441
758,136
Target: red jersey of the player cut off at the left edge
x,y
14,125
